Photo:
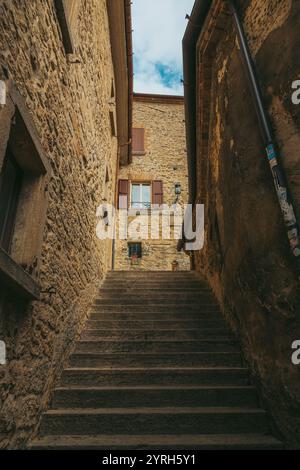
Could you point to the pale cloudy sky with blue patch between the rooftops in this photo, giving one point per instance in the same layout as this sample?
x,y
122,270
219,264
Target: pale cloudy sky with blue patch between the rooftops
x,y
159,27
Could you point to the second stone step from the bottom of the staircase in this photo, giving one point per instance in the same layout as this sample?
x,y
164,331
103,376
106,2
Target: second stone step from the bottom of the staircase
x,y
174,420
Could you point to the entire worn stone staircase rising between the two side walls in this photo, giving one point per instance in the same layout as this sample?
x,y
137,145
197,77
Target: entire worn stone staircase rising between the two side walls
x,y
156,368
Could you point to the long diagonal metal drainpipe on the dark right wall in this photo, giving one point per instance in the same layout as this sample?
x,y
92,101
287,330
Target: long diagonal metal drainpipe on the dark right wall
x,y
278,174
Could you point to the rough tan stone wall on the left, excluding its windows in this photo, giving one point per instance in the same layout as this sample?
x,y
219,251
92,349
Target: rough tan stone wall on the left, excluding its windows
x,y
68,99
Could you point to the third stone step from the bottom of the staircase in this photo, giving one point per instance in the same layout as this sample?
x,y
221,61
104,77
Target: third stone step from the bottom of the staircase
x,y
154,396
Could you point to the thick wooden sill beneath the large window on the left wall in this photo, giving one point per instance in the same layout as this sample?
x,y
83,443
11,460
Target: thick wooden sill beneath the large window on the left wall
x,y
16,280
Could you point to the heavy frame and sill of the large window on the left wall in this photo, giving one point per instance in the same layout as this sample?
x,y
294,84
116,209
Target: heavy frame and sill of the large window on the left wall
x,y
19,269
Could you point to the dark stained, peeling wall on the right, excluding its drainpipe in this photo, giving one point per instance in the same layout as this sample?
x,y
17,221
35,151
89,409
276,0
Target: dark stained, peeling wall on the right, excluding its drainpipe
x,y
246,255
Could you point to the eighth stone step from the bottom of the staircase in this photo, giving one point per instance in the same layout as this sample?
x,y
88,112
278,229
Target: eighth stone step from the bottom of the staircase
x,y
155,324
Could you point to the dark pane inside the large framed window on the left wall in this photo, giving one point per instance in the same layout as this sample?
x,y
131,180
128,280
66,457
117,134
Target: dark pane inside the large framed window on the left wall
x,y
10,186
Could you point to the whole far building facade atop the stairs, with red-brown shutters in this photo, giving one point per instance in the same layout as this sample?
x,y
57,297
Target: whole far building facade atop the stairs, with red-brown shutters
x,y
158,167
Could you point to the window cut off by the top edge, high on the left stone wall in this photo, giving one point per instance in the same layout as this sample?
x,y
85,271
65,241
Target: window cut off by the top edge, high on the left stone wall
x,y
67,13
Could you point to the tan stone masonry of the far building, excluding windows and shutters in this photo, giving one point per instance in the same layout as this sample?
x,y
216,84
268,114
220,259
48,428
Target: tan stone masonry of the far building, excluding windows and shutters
x,y
165,160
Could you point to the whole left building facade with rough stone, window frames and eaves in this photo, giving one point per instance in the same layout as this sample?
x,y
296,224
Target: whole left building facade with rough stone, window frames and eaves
x,y
62,133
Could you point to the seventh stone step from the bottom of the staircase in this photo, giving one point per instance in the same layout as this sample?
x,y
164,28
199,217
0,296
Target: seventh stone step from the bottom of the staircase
x,y
144,334
